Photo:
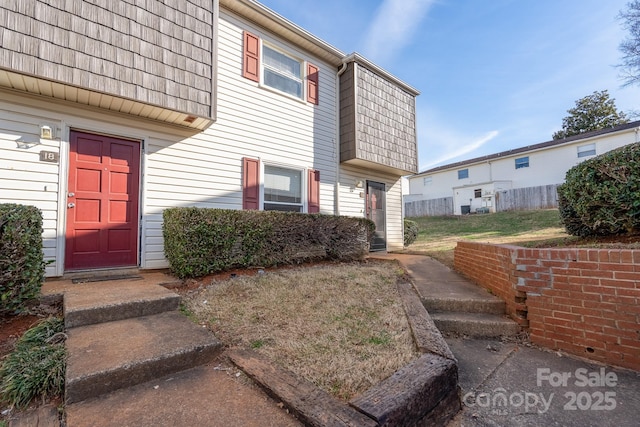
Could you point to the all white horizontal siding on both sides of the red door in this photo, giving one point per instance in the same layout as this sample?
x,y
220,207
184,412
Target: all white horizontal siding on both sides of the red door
x,y
178,168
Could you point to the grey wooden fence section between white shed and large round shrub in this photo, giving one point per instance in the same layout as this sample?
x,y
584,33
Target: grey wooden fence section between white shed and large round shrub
x,y
530,198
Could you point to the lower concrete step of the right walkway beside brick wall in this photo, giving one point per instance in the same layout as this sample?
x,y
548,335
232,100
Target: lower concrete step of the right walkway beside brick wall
x,y
475,324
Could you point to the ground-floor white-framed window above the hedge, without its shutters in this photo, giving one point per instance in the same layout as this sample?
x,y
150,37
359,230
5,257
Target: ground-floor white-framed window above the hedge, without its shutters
x,y
282,189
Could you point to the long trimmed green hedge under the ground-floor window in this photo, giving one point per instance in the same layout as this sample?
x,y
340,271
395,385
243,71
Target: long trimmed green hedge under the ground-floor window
x,y
200,241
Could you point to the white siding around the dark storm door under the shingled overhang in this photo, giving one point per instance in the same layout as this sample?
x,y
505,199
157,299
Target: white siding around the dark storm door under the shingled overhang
x,y
352,201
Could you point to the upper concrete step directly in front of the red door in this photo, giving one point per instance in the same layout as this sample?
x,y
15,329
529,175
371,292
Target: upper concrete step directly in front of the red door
x,y
91,303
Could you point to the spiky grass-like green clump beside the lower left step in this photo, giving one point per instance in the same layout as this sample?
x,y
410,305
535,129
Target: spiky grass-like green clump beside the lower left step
x,y
37,365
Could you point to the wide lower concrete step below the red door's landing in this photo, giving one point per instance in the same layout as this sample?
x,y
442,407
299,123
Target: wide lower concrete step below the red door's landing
x,y
108,356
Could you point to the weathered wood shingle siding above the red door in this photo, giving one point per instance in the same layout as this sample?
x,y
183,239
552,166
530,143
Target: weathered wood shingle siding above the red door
x,y
155,53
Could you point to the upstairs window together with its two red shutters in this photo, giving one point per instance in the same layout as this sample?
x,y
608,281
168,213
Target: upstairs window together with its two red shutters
x,y
272,67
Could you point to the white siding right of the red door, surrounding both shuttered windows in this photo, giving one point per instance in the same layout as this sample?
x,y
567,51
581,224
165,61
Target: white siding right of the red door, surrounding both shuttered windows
x,y
205,169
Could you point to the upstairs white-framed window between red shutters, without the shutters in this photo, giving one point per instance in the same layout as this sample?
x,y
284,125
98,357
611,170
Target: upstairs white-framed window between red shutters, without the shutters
x,y
281,71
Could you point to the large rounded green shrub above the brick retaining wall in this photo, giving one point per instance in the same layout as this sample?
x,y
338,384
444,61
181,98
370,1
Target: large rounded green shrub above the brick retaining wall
x,y
601,196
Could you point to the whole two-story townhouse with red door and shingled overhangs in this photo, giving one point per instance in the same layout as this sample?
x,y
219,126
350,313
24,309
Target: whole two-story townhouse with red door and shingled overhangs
x,y
111,112
